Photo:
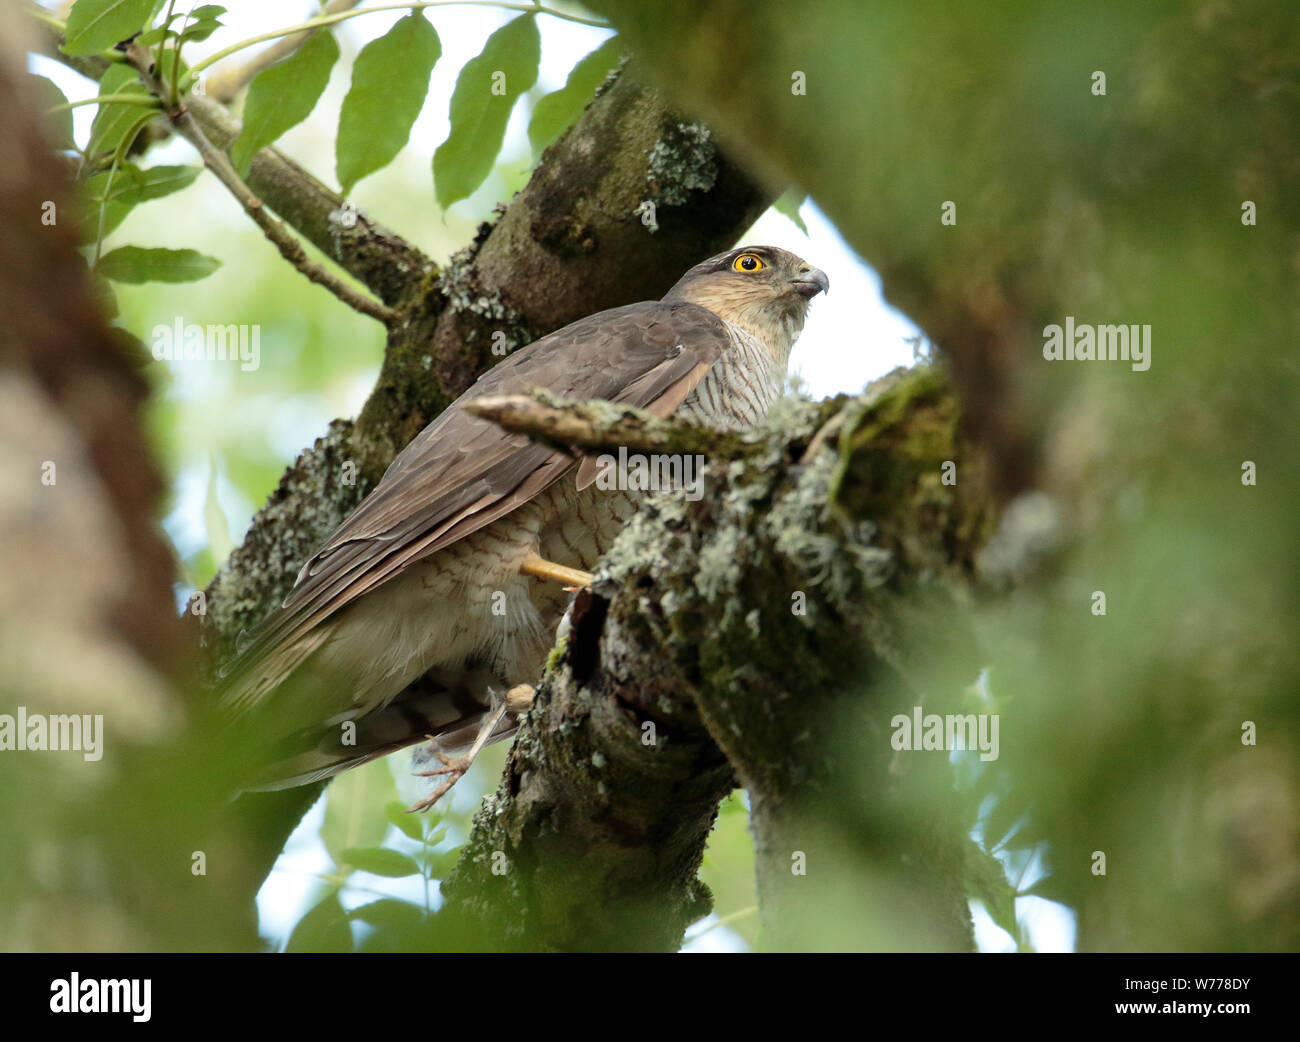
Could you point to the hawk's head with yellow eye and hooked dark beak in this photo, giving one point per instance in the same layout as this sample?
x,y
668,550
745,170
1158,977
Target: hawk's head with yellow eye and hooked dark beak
x,y
762,289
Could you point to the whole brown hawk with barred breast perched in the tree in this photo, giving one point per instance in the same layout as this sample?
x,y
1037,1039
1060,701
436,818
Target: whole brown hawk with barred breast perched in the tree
x,y
435,604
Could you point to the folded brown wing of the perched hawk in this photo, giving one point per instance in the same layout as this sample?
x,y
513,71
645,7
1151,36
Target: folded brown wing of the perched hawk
x,y
462,474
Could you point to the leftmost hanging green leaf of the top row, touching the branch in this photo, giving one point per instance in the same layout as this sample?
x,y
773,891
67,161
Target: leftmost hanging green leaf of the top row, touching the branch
x,y
283,97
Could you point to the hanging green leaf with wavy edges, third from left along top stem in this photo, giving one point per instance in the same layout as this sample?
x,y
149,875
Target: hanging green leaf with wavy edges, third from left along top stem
x,y
479,116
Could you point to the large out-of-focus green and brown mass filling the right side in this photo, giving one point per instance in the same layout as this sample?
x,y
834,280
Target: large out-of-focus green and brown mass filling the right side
x,y
1116,163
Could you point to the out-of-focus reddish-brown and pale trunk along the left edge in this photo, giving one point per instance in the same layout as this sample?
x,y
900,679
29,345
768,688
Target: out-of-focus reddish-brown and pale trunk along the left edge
x,y
89,635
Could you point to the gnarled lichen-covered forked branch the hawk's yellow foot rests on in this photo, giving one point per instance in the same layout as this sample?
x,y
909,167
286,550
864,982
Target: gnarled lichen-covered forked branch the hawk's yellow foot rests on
x,y
686,663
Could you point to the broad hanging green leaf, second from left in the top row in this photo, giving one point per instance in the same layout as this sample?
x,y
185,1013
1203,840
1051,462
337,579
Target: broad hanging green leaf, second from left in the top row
x,y
391,81
